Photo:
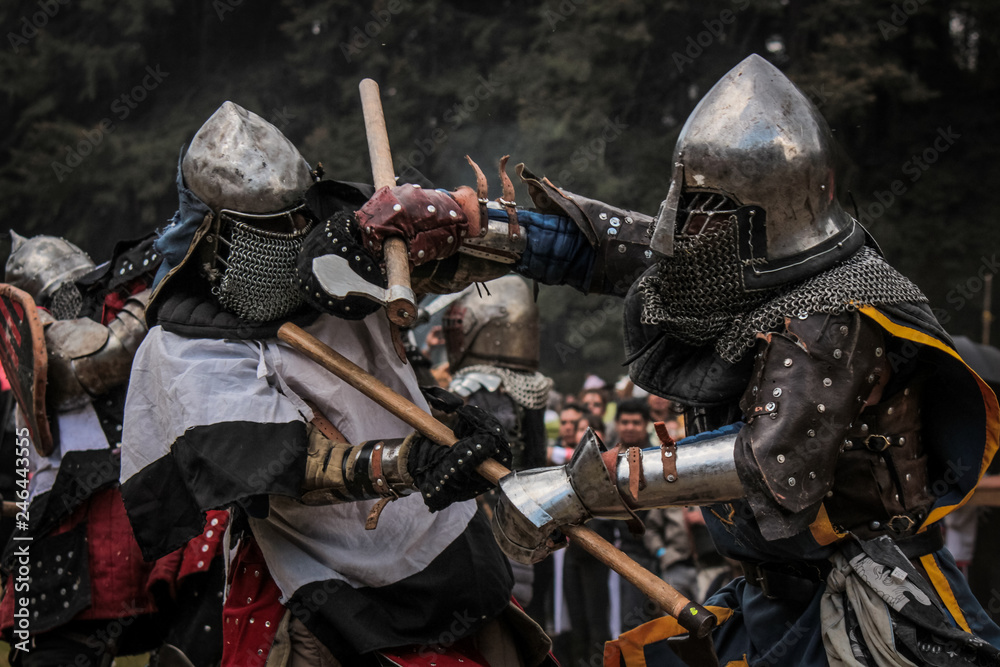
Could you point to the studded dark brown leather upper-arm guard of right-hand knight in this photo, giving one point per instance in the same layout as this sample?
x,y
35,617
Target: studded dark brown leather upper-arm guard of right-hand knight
x,y
810,383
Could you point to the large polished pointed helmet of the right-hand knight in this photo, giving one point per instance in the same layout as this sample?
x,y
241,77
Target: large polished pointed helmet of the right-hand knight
x,y
756,139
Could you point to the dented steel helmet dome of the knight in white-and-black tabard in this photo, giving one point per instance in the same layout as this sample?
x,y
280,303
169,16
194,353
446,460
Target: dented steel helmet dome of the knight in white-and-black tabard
x,y
241,162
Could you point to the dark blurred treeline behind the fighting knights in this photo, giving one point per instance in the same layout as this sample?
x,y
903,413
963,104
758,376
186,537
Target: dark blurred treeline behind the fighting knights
x,y
98,96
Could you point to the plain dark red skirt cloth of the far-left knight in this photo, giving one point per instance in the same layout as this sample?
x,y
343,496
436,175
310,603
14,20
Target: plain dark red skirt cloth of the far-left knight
x,y
118,574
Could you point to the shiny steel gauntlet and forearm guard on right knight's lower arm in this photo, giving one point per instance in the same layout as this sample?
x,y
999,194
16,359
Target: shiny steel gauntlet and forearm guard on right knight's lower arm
x,y
534,503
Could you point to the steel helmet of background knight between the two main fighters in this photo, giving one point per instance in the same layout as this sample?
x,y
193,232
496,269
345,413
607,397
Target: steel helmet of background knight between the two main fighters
x,y
499,328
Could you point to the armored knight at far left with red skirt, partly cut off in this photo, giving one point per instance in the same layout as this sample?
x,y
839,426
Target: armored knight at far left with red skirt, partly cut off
x,y
91,596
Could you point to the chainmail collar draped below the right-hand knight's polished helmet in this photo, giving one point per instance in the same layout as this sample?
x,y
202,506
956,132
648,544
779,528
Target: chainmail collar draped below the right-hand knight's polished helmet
x,y
863,279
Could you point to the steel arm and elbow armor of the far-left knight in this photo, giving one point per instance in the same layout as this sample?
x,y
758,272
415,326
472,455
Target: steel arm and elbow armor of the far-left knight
x,y
87,358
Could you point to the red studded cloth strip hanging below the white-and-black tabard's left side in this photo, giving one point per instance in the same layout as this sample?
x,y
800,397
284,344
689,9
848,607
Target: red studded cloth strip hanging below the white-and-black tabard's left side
x,y
252,612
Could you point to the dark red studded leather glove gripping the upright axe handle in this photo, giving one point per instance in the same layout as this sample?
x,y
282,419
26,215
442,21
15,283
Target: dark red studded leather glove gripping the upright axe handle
x,y
432,222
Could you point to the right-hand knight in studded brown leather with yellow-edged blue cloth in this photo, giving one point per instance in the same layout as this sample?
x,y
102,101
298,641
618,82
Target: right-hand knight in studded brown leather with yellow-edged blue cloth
x,y
831,423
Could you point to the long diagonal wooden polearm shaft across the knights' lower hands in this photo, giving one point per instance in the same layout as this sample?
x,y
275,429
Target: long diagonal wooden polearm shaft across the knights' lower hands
x,y
692,616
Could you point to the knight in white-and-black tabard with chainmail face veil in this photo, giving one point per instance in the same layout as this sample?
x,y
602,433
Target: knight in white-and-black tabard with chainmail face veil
x,y
355,541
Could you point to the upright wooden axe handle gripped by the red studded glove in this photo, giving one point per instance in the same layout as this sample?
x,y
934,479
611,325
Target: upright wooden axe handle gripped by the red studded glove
x,y
402,309
